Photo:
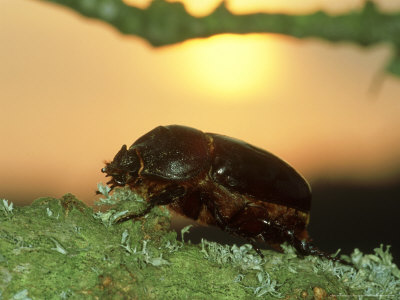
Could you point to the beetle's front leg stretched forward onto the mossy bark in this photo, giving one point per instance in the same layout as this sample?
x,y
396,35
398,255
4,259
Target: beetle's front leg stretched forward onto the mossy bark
x,y
167,196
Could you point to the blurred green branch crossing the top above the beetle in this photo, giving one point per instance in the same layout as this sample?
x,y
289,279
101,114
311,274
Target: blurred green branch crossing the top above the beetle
x,y
164,23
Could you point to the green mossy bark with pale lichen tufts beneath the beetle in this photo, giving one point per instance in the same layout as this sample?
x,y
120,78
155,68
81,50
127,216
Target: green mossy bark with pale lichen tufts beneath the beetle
x,y
61,249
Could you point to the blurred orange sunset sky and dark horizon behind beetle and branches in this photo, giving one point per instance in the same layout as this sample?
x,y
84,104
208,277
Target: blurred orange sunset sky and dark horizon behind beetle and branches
x,y
73,90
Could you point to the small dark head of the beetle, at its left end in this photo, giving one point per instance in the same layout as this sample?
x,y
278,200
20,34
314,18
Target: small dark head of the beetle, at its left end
x,y
124,167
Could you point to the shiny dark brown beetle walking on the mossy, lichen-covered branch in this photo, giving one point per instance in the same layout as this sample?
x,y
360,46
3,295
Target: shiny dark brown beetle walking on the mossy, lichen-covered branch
x,y
218,180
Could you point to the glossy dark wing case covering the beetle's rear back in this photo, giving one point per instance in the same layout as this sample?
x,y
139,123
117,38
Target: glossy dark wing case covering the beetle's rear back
x,y
248,170
